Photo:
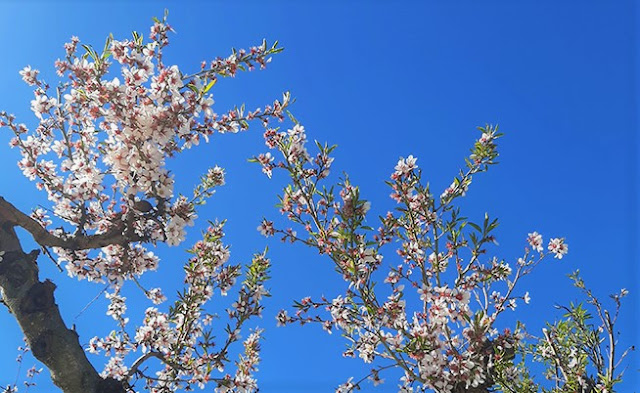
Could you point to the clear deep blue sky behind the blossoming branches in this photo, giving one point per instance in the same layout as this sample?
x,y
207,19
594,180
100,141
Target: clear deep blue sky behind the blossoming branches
x,y
383,80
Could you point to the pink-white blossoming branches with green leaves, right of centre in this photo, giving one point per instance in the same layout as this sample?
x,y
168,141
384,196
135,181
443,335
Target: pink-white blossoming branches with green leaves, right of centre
x,y
424,321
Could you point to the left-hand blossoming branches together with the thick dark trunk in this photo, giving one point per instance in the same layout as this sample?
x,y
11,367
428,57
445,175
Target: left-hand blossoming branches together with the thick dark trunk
x,y
99,151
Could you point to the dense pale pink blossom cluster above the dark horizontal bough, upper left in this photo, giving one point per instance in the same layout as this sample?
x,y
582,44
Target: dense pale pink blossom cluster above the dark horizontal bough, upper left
x,y
100,149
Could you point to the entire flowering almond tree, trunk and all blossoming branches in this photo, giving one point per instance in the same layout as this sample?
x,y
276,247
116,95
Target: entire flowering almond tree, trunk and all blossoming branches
x,y
99,152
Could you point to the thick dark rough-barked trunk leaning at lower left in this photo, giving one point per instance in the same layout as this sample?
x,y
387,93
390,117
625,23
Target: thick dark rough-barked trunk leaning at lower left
x,y
32,303
